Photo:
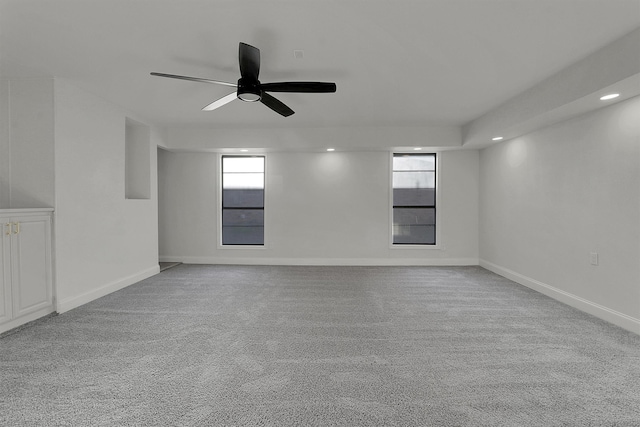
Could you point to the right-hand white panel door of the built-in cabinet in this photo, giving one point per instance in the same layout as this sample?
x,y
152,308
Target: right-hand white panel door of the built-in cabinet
x,y
30,265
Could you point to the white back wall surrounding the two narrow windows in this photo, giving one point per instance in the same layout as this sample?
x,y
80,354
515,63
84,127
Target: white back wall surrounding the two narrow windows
x,y
320,208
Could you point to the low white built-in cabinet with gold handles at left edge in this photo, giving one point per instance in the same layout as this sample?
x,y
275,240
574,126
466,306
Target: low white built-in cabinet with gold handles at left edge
x,y
26,285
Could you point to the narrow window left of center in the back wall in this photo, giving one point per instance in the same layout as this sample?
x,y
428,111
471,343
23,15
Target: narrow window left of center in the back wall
x,y
243,200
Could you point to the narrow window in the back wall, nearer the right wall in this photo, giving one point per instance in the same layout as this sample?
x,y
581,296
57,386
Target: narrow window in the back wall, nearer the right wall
x,y
414,199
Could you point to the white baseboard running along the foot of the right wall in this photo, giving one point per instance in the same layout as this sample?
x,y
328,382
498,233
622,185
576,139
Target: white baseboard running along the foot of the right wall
x,y
619,319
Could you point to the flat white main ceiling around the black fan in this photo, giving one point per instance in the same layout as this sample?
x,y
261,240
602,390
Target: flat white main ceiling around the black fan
x,y
396,63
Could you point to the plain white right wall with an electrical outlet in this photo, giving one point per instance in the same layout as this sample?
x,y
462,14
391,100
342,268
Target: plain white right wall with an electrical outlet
x,y
550,198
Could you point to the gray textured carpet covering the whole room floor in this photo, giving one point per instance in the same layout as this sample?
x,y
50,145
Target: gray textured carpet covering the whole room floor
x,y
321,346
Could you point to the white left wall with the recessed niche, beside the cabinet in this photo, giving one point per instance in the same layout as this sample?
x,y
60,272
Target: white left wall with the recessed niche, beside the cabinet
x,y
103,242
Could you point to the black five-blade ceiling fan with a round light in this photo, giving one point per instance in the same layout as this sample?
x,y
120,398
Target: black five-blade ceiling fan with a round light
x,y
250,89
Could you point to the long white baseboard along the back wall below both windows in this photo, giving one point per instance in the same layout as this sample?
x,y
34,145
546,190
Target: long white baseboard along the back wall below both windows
x,y
324,261
